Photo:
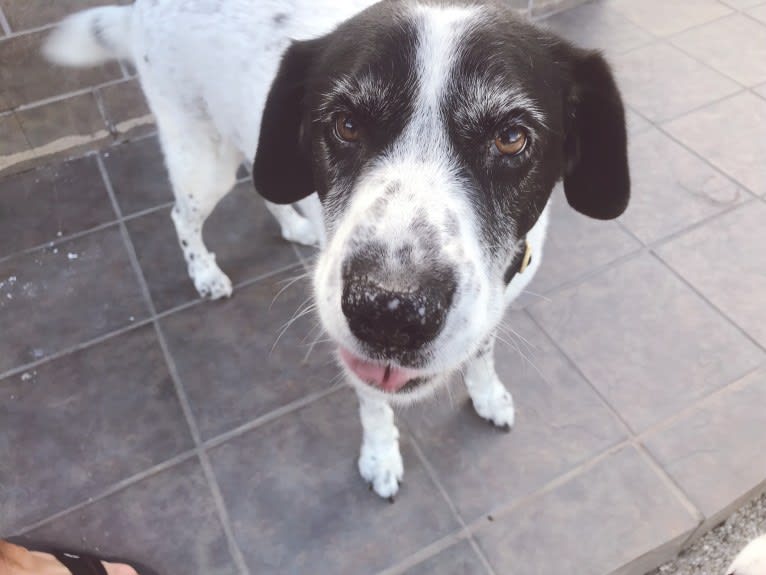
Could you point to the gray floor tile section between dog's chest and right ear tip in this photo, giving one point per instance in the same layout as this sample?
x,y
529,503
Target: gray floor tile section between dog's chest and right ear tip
x,y
576,244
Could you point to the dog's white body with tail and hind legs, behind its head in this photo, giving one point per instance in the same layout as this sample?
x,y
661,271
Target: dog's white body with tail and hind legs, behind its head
x,y
207,131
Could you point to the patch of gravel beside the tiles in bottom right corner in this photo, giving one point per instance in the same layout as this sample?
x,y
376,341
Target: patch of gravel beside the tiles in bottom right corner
x,y
714,552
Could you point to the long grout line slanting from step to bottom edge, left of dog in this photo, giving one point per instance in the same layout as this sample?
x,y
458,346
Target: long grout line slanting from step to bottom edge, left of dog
x,y
183,399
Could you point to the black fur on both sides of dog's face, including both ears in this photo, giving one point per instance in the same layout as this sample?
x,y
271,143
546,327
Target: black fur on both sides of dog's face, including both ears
x,y
576,128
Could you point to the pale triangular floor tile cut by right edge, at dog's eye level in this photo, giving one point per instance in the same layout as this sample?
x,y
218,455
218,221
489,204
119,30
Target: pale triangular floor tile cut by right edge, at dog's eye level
x,y
738,147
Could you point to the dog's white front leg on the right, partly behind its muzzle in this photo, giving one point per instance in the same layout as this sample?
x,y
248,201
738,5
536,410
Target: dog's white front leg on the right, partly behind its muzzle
x,y
490,398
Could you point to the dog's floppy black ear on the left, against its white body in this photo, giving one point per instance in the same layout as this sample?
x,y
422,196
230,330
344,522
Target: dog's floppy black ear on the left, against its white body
x,y
282,170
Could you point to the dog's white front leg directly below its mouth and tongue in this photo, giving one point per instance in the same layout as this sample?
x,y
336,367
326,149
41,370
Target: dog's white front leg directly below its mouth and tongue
x,y
380,461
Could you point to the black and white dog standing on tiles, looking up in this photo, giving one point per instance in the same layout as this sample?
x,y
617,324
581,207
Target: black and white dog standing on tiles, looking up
x,y
433,132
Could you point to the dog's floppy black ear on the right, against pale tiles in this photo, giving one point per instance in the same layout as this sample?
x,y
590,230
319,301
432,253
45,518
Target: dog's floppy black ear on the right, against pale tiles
x,y
596,176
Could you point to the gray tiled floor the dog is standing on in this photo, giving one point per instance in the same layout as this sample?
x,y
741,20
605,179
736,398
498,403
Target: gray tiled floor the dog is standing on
x,y
138,420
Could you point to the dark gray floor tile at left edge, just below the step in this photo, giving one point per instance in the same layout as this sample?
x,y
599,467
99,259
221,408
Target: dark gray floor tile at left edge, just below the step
x,y
54,201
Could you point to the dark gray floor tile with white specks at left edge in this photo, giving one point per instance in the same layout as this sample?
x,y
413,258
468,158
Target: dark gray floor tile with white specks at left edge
x,y
55,298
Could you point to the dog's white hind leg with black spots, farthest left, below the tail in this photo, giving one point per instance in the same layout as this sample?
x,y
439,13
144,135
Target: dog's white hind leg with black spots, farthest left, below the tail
x,y
202,169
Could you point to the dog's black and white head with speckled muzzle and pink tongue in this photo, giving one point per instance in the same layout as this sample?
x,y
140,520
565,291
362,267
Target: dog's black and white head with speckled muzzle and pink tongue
x,y
434,133
